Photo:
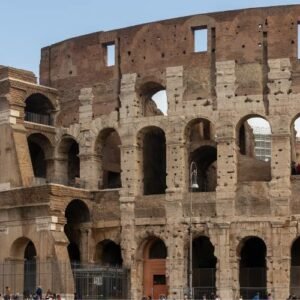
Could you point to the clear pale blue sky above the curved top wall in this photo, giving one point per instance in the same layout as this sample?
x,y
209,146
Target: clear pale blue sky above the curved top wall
x,y
28,25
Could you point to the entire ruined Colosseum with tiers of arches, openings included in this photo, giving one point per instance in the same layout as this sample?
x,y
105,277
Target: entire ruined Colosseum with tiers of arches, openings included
x,y
106,195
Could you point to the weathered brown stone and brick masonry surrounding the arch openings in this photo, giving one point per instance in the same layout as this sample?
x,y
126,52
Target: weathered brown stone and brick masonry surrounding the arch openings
x,y
250,69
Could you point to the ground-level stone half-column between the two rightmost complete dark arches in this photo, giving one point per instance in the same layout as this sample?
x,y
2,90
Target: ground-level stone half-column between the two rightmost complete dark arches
x,y
221,240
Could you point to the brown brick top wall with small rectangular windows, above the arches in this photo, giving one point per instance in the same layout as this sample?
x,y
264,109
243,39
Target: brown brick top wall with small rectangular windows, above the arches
x,y
250,37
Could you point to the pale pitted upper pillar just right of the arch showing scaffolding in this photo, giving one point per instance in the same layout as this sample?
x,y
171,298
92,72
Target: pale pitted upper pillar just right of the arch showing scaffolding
x,y
279,83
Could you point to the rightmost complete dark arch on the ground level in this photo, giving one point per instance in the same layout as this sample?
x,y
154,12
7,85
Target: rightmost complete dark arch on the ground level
x,y
253,271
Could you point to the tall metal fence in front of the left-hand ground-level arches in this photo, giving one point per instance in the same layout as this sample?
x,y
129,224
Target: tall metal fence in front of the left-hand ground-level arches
x,y
89,281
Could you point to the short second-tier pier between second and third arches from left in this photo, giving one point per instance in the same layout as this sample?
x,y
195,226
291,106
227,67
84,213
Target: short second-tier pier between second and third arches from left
x,y
90,170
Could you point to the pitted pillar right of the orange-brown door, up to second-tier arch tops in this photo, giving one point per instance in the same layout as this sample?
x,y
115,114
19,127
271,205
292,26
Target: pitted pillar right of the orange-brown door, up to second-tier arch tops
x,y
176,182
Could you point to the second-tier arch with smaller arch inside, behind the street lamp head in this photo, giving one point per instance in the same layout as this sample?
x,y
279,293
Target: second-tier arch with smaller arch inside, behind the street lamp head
x,y
201,146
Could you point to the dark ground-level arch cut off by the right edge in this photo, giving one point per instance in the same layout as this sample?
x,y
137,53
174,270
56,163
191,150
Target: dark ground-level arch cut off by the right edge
x,y
295,268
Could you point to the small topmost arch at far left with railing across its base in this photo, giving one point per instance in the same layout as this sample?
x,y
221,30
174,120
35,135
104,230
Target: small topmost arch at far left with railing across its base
x,y
39,109
